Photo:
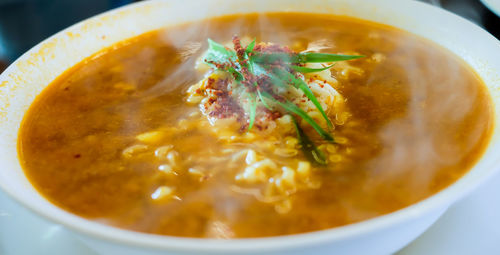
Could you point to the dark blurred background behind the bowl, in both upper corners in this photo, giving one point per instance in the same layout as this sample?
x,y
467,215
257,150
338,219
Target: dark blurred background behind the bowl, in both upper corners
x,y
24,23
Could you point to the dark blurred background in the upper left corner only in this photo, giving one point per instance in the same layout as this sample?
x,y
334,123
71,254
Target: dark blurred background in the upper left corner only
x,y
25,23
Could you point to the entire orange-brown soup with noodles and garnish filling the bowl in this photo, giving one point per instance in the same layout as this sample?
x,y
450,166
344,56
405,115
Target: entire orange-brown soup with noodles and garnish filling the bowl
x,y
318,122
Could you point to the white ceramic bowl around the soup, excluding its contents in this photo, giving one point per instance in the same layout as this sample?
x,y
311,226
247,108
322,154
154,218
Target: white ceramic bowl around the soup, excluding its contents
x,y
31,73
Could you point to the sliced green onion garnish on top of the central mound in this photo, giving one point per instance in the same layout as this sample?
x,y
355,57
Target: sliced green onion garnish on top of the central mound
x,y
250,65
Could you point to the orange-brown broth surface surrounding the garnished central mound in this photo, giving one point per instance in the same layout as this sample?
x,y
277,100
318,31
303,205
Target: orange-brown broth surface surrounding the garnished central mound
x,y
420,119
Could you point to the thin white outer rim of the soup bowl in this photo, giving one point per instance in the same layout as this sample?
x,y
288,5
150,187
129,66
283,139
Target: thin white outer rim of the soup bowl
x,y
443,198
